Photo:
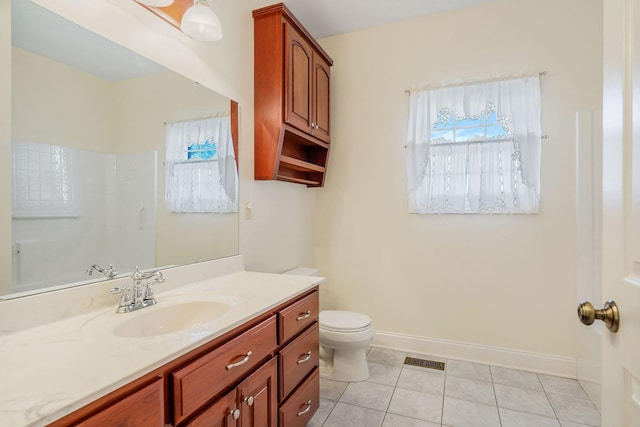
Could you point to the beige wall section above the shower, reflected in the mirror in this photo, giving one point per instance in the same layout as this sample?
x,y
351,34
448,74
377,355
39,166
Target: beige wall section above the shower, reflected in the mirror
x,y
76,112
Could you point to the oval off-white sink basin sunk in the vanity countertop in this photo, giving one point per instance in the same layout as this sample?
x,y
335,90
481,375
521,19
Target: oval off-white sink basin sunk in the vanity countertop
x,y
173,318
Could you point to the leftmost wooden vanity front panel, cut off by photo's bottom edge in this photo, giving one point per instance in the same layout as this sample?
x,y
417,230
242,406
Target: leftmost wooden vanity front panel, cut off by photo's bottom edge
x,y
144,408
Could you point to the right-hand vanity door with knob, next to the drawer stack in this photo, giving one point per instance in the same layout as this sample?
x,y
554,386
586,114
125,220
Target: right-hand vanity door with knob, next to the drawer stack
x,y
257,397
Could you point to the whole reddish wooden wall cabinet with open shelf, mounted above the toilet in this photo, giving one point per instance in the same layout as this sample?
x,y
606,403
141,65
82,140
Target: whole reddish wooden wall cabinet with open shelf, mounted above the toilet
x,y
292,87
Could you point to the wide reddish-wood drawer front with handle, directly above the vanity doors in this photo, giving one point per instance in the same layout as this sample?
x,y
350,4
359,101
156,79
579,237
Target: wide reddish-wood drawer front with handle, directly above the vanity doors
x,y
198,382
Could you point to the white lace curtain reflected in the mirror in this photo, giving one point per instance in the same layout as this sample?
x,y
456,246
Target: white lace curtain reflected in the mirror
x,y
195,185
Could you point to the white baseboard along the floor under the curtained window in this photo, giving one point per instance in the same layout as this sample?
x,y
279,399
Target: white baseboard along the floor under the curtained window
x,y
496,356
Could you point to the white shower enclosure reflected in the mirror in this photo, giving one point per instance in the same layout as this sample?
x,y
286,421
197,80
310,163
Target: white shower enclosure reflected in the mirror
x,y
74,208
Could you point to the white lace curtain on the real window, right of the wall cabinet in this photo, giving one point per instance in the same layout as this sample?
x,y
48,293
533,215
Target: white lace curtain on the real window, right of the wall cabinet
x,y
480,174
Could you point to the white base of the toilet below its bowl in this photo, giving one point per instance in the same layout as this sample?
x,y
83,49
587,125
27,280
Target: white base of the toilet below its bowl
x,y
349,366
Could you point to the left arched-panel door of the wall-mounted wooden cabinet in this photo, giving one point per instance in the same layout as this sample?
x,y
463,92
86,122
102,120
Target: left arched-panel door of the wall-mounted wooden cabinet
x,y
299,61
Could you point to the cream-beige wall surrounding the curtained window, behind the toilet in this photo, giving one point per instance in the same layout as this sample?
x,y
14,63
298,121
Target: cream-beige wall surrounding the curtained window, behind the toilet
x,y
499,281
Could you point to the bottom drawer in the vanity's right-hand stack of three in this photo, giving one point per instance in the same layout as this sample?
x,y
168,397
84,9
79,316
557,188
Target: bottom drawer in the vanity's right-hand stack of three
x,y
302,404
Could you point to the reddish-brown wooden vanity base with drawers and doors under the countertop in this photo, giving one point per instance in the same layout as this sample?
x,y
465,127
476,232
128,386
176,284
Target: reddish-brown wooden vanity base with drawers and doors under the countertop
x,y
262,373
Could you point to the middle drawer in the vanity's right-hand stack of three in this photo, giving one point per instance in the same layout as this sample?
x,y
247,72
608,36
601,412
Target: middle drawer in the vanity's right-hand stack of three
x,y
297,359
